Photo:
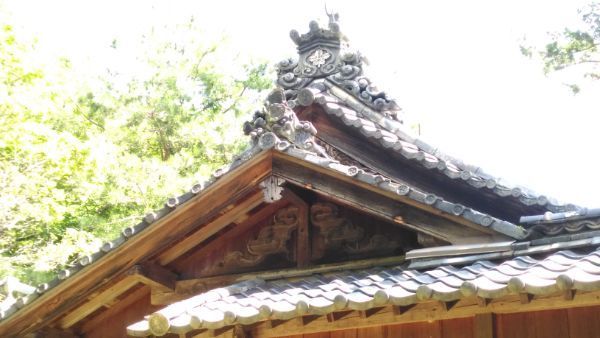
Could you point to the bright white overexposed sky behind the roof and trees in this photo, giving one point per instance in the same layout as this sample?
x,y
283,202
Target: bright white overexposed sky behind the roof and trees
x,y
455,66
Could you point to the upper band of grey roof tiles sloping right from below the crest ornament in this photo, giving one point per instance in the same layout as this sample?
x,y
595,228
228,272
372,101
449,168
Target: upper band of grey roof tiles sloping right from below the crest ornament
x,y
392,135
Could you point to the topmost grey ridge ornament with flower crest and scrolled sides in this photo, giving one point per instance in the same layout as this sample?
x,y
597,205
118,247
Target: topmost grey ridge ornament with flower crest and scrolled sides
x,y
325,53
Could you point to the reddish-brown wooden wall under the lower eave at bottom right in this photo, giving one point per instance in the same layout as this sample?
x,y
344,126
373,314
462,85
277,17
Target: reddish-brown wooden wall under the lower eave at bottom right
x,y
564,323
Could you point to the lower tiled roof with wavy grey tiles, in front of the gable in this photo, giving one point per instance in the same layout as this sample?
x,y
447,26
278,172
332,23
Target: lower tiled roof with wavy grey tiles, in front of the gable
x,y
257,300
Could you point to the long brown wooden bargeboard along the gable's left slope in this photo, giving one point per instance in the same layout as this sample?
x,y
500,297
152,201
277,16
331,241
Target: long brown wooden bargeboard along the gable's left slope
x,y
156,237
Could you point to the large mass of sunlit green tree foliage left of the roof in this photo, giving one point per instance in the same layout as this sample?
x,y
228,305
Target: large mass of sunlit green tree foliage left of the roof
x,y
82,158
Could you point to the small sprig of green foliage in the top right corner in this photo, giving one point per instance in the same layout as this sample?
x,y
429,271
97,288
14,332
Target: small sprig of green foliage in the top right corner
x,y
574,49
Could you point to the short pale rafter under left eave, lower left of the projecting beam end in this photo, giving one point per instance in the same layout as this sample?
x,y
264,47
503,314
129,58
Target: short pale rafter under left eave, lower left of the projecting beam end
x,y
98,301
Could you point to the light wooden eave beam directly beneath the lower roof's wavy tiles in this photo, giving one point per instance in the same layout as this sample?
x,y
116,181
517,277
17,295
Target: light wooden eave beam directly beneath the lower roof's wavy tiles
x,y
429,311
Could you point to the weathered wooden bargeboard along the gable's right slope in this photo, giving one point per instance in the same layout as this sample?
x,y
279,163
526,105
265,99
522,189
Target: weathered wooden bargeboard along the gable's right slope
x,y
355,195
